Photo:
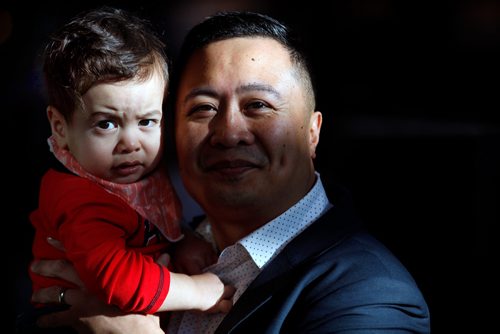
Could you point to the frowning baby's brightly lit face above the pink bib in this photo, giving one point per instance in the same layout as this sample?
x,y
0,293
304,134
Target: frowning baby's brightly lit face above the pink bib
x,y
117,134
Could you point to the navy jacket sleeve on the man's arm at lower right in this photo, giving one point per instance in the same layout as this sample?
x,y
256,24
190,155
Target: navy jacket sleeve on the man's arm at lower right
x,y
364,289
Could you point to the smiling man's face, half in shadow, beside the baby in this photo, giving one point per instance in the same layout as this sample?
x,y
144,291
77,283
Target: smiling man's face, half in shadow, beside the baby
x,y
244,136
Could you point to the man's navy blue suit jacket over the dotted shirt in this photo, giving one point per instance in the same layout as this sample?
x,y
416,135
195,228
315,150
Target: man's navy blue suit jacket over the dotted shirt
x,y
332,278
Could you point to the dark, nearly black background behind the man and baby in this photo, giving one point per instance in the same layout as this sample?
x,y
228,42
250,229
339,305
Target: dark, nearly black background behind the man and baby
x,y
409,92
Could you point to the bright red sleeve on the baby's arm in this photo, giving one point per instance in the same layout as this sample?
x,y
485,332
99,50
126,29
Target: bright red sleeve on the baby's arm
x,y
106,240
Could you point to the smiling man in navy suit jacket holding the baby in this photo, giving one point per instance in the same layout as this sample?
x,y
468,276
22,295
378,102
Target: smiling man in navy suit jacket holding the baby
x,y
246,135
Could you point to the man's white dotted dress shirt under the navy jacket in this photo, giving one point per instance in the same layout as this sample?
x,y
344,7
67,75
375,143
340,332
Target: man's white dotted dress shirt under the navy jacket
x,y
239,264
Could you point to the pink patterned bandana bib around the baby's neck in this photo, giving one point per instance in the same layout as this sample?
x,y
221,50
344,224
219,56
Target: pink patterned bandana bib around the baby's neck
x,y
153,197
